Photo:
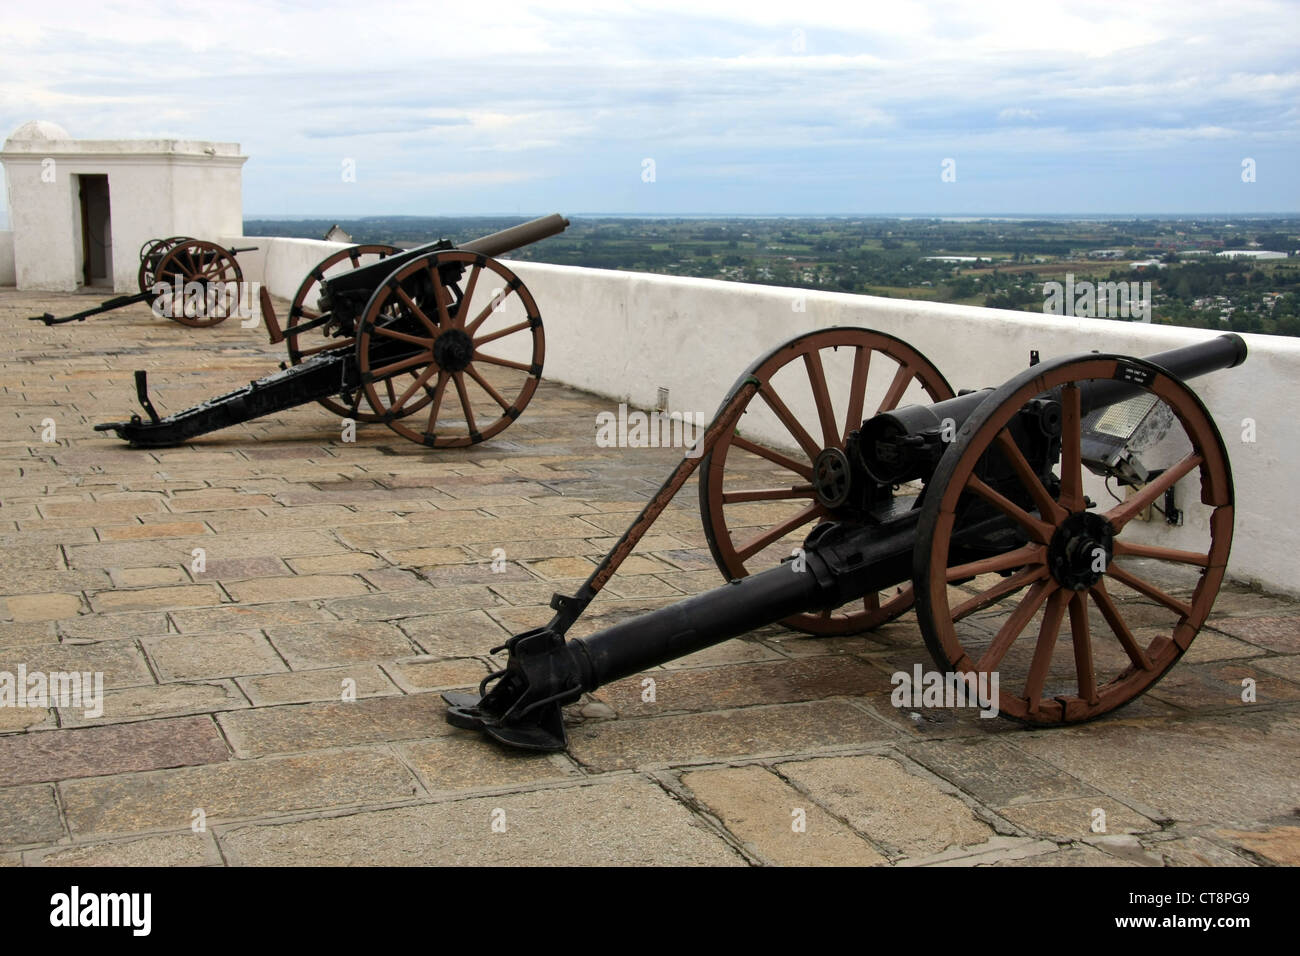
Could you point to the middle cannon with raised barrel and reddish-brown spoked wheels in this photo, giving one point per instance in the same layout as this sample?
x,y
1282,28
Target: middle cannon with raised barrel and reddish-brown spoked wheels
x,y
400,331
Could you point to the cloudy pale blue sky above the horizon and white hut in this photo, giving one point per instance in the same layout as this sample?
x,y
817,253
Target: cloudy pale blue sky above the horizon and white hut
x,y
748,109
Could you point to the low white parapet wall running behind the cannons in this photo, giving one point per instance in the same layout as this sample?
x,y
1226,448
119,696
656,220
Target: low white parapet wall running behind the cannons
x,y
626,335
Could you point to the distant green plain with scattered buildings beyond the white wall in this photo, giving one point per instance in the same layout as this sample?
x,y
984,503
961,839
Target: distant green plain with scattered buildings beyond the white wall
x,y
1212,272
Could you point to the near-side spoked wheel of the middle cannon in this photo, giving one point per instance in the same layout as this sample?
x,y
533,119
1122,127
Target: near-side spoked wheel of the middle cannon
x,y
479,356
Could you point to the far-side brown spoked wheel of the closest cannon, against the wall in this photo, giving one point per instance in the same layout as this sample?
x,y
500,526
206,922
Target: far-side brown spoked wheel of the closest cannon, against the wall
x,y
756,486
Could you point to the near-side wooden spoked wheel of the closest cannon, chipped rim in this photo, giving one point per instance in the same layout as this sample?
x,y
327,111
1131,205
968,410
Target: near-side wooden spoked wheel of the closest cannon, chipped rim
x,y
1009,620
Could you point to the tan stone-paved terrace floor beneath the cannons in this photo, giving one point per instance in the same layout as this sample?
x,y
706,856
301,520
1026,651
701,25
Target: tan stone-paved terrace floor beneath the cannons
x,y
226,738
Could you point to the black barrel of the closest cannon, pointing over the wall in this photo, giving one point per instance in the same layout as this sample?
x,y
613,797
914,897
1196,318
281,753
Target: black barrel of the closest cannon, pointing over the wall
x,y
886,430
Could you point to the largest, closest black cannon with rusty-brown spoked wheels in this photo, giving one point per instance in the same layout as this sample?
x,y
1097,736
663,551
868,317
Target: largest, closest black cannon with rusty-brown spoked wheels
x,y
976,509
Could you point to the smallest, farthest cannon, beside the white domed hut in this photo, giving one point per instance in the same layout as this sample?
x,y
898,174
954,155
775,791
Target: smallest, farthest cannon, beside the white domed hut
x,y
192,282
